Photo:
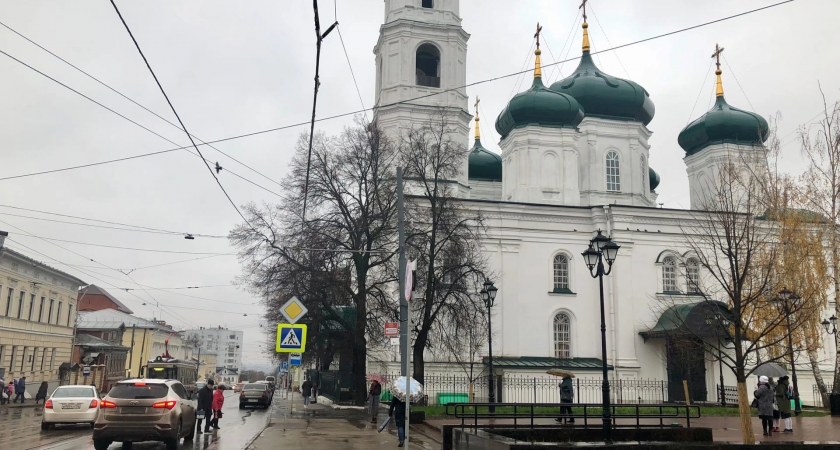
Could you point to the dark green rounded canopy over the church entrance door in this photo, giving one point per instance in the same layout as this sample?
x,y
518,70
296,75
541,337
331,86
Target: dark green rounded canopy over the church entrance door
x,y
695,319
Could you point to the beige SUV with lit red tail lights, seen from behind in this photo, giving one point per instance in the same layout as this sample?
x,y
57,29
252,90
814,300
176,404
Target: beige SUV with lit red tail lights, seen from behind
x,y
145,410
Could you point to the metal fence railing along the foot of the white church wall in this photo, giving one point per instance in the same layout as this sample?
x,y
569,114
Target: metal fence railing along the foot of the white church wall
x,y
440,389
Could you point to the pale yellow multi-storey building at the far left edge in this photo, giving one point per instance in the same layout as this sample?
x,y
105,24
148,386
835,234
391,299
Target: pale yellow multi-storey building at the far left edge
x,y
37,317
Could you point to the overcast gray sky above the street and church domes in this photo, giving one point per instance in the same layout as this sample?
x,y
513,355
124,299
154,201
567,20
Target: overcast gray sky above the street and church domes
x,y
238,67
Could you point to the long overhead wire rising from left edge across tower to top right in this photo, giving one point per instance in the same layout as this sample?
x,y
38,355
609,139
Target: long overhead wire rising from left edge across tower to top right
x,y
442,91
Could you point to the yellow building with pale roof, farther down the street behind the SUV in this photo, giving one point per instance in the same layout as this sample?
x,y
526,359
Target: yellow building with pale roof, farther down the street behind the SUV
x,y
146,339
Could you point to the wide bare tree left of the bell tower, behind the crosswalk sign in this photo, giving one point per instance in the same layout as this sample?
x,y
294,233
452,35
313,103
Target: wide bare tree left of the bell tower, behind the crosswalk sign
x,y
338,259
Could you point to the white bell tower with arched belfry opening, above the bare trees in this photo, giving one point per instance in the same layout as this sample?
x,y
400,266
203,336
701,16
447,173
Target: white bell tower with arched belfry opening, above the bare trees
x,y
422,52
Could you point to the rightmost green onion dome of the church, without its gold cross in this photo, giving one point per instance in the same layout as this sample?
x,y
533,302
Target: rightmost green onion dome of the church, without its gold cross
x,y
723,124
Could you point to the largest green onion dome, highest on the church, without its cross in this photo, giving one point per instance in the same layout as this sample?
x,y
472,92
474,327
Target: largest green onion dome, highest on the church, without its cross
x,y
603,95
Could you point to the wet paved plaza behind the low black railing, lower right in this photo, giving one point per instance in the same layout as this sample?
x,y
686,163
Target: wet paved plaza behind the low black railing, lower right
x,y
724,429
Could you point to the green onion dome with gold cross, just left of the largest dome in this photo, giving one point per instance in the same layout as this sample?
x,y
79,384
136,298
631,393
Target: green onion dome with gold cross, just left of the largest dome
x,y
541,106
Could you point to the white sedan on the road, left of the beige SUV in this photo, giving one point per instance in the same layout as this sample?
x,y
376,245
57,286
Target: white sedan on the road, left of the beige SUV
x,y
71,404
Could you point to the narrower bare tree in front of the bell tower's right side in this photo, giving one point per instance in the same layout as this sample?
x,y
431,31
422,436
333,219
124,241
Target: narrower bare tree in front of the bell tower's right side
x,y
444,235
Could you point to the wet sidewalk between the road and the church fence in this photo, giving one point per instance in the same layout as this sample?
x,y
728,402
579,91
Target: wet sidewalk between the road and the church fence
x,y
322,427
